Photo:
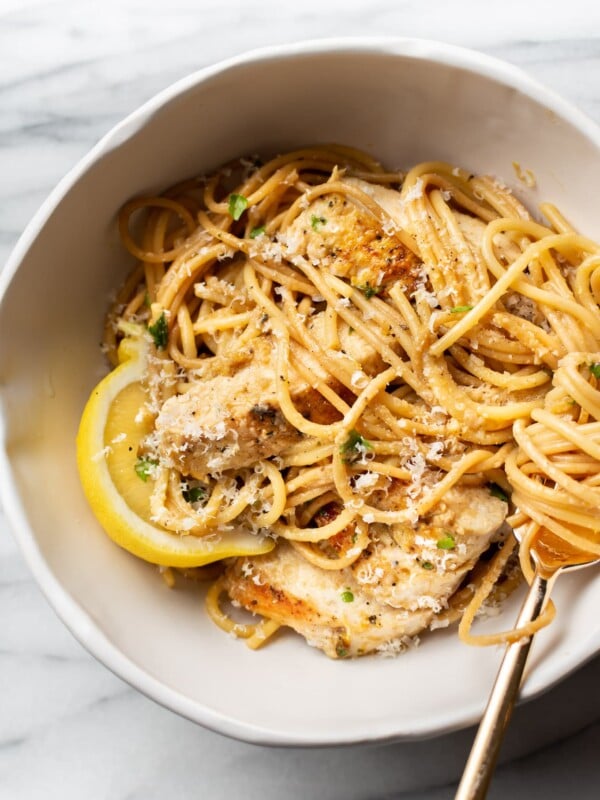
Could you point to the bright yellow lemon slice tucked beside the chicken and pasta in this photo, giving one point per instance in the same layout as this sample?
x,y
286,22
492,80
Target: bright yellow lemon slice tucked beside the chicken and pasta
x,y
107,450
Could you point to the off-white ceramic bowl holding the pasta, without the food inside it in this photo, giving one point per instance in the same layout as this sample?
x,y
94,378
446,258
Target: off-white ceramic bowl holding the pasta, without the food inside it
x,y
402,100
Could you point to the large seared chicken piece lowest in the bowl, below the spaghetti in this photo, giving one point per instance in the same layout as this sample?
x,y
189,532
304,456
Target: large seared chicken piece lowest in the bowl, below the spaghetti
x,y
394,590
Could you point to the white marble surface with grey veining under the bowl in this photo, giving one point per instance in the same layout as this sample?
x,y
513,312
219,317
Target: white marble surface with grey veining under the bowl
x,y
68,728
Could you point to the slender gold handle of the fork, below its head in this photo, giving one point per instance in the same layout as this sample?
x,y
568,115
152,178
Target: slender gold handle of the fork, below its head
x,y
490,734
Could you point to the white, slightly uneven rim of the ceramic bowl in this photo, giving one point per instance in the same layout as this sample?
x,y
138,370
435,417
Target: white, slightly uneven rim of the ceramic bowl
x,y
81,624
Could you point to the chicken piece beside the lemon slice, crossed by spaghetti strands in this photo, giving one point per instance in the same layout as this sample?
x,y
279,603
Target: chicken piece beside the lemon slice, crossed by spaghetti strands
x,y
233,420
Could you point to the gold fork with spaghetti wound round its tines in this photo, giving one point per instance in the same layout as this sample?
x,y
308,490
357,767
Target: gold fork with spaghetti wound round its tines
x,y
552,556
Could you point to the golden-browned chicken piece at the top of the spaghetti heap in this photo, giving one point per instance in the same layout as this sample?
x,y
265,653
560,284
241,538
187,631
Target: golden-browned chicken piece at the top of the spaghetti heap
x,y
343,237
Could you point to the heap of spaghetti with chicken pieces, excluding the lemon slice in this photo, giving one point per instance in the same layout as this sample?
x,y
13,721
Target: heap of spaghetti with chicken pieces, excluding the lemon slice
x,y
353,361
